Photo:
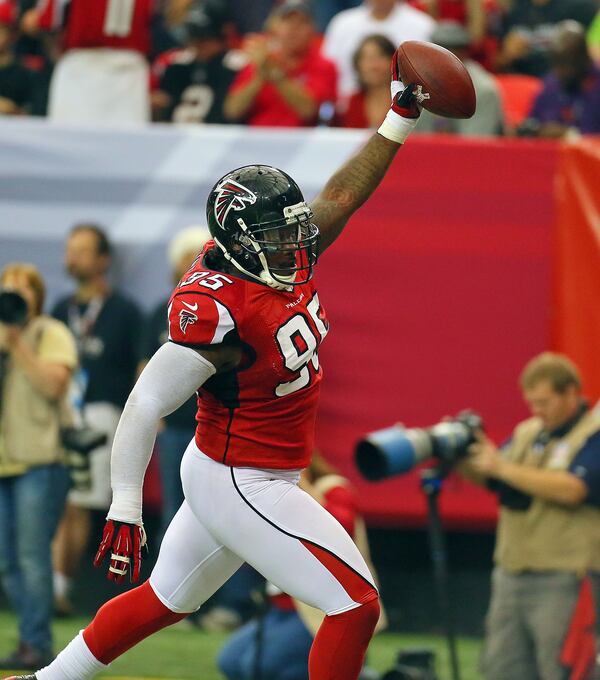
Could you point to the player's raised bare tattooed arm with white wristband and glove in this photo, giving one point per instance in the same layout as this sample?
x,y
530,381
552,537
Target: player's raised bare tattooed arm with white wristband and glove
x,y
358,178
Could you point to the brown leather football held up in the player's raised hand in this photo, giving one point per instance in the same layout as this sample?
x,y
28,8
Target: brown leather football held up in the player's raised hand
x,y
447,87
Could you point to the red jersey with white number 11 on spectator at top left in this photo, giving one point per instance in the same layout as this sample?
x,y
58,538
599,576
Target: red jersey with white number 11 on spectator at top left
x,y
120,24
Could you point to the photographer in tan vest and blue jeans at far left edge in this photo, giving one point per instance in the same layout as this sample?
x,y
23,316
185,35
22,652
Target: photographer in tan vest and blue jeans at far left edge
x,y
37,358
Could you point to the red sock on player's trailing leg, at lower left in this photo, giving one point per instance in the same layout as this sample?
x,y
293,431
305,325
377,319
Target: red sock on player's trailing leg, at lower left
x,y
126,620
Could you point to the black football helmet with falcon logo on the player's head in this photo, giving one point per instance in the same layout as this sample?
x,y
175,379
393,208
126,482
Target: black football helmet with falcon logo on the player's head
x,y
258,217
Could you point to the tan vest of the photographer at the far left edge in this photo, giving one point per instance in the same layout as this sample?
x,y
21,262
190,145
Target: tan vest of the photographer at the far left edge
x,y
30,422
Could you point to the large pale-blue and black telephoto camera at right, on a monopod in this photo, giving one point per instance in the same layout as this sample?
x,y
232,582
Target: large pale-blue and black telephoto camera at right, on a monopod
x,y
396,450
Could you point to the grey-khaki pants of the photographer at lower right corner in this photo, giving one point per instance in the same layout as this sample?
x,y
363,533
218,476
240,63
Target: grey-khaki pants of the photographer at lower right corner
x,y
527,622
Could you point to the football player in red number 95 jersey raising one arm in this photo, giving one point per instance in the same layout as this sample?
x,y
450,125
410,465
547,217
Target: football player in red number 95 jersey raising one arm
x,y
245,325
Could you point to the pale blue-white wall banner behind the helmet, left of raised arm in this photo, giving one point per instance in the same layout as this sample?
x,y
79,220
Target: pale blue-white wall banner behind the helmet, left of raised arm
x,y
142,184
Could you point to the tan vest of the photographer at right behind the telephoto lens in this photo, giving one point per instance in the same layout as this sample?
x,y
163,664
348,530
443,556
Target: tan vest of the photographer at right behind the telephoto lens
x,y
549,536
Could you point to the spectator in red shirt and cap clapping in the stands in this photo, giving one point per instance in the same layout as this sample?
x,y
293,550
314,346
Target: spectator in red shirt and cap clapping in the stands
x,y
287,79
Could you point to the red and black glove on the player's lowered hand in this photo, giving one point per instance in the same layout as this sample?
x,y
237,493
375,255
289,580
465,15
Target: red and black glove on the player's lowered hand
x,y
125,541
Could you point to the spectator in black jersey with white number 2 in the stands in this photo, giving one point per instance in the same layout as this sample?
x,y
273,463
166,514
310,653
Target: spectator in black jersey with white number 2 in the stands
x,y
193,87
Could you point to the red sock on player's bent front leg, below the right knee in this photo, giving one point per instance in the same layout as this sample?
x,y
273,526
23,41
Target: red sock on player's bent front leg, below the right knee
x,y
339,648
